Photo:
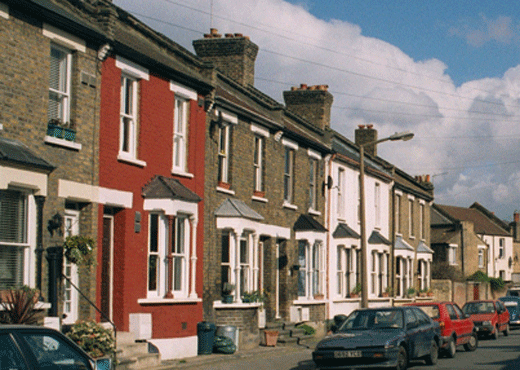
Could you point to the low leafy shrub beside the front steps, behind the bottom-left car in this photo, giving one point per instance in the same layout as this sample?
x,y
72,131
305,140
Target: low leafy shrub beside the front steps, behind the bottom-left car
x,y
93,338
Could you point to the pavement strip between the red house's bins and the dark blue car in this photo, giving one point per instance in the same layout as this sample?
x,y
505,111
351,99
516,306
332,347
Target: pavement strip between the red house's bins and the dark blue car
x,y
214,358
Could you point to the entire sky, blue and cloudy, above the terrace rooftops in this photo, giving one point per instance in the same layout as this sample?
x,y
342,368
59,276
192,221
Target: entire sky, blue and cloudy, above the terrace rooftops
x,y
448,71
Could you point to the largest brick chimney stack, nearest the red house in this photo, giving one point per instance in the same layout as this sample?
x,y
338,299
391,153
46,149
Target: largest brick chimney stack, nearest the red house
x,y
234,55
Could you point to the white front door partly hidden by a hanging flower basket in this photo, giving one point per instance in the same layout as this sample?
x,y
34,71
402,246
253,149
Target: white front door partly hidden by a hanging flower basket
x,y
70,270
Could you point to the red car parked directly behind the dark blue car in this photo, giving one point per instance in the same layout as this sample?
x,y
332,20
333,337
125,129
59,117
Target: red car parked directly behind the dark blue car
x,y
456,327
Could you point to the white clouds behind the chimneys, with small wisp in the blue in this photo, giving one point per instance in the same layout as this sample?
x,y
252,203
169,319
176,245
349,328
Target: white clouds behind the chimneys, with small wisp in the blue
x,y
464,135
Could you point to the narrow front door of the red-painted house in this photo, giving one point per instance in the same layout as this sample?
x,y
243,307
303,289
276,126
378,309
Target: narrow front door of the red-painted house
x,y
106,267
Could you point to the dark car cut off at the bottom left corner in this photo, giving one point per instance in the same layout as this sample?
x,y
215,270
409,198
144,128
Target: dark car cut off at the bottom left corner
x,y
41,348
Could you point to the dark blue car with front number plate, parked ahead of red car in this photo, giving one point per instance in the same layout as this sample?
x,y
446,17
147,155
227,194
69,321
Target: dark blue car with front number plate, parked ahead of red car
x,y
380,337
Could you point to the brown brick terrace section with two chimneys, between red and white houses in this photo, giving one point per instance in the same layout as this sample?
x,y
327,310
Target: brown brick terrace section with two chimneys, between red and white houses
x,y
264,202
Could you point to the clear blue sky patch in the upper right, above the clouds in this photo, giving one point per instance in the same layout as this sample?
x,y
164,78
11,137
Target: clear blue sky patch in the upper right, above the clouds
x,y
437,29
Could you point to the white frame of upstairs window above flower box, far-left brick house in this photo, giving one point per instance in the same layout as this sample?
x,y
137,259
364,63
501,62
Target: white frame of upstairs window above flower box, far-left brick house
x,y
63,92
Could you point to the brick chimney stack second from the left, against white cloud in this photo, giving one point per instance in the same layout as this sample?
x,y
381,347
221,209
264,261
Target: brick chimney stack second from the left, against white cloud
x,y
310,102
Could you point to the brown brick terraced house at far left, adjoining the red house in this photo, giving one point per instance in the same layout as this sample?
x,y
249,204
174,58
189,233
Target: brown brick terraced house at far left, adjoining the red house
x,y
49,120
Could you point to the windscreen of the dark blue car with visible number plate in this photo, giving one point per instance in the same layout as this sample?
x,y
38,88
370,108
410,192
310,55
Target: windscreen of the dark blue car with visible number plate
x,y
373,319
